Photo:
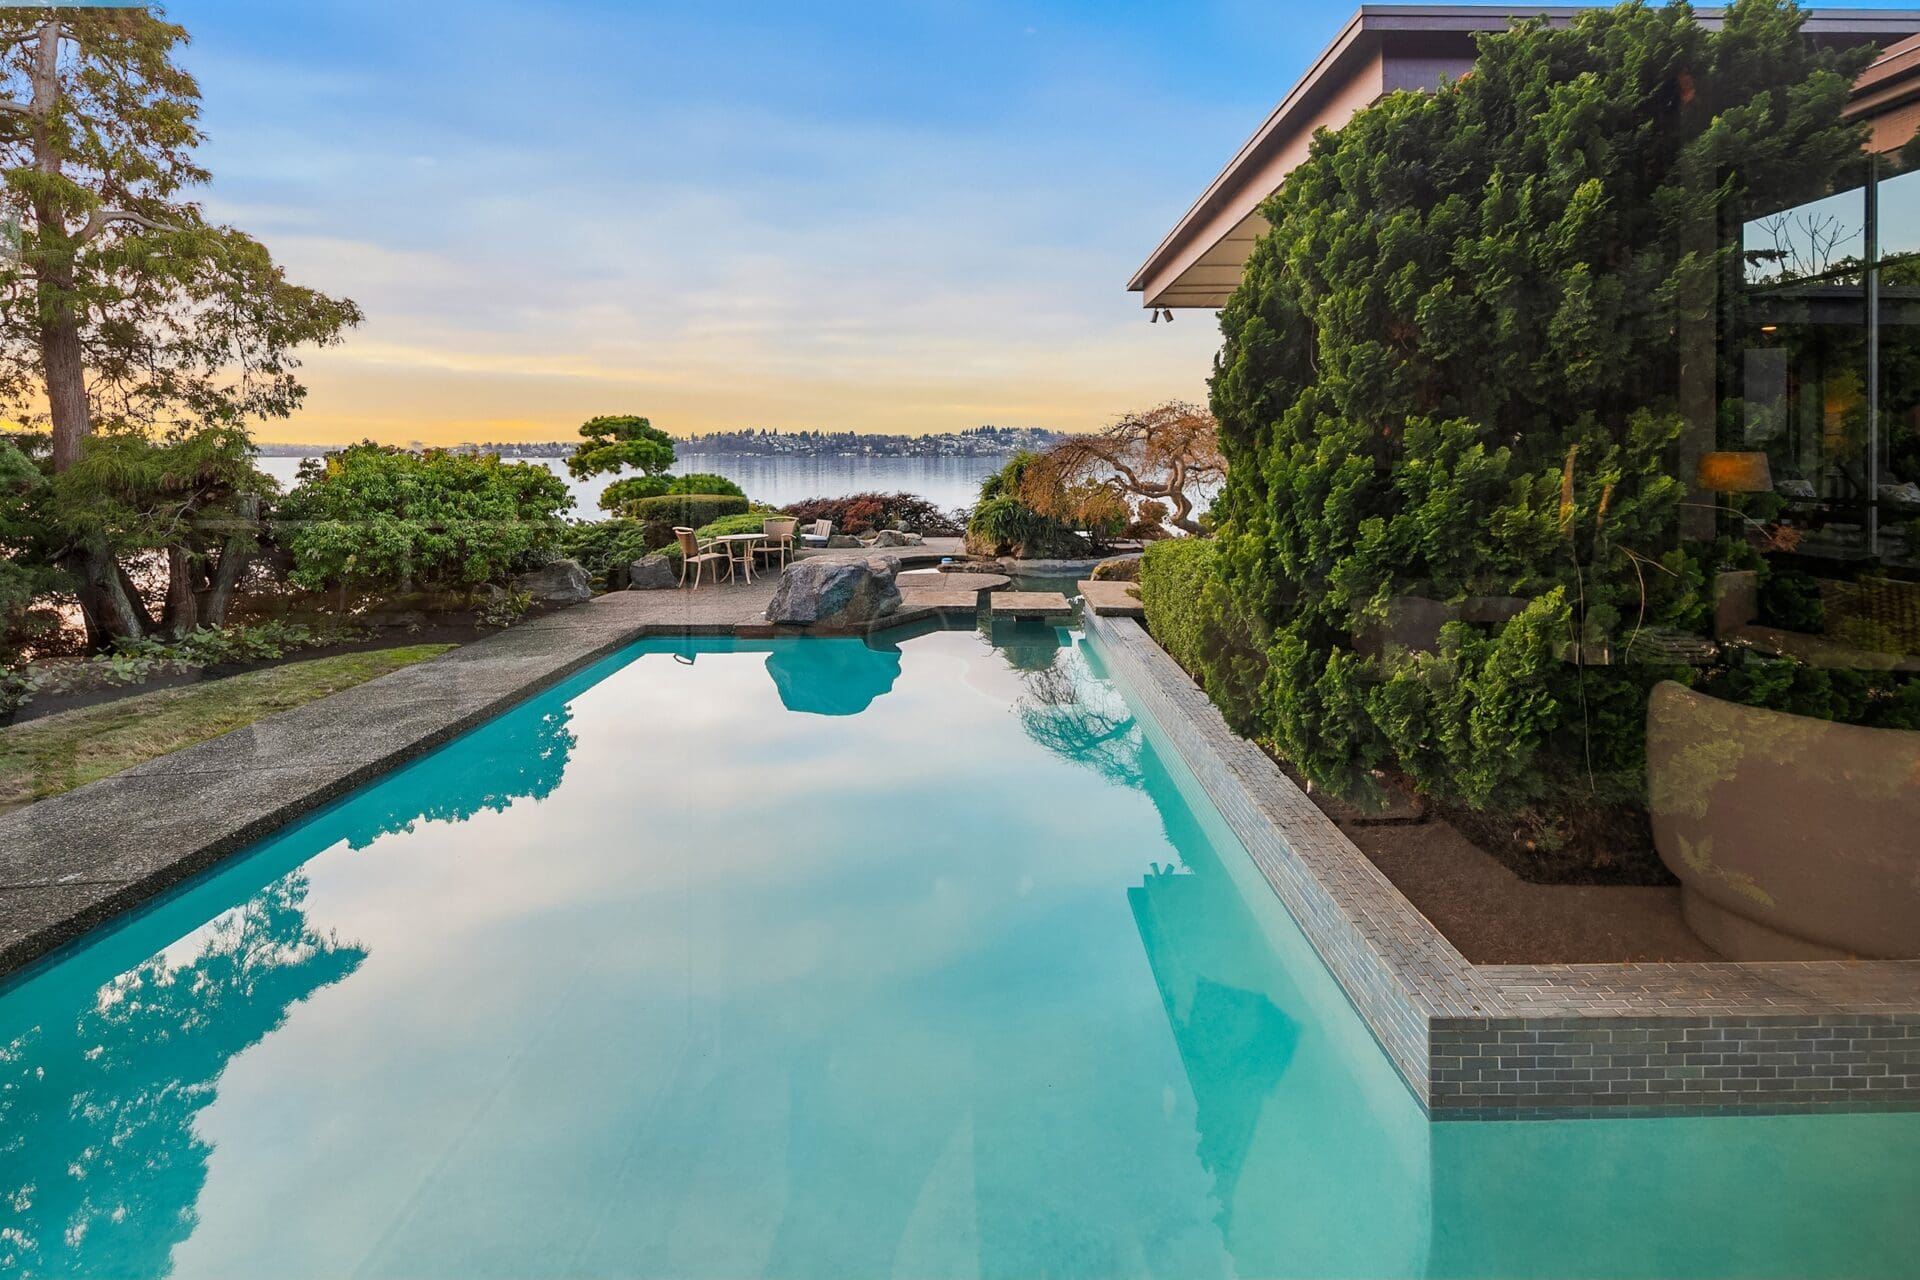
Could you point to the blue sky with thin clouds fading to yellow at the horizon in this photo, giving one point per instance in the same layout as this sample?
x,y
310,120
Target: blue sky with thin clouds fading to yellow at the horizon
x,y
882,218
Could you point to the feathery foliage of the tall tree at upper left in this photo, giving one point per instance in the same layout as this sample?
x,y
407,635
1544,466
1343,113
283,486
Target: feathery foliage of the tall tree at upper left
x,y
183,323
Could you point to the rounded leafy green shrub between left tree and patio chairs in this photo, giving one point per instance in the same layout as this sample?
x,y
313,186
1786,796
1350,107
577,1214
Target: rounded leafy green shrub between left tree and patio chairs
x,y
379,517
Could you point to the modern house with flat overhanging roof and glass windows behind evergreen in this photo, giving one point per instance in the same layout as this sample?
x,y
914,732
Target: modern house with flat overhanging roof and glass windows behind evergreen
x,y
1823,377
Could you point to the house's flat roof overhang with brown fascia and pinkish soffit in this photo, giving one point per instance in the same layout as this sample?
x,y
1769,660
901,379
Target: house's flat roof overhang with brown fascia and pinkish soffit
x,y
1385,49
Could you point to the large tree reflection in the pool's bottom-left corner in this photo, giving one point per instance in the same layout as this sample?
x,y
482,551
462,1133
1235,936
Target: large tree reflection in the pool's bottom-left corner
x,y
99,1104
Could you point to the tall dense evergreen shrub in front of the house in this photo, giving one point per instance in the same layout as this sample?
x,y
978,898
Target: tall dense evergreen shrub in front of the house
x,y
1451,375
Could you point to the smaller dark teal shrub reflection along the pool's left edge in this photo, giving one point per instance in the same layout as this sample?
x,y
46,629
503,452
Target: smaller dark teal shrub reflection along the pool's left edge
x,y
521,755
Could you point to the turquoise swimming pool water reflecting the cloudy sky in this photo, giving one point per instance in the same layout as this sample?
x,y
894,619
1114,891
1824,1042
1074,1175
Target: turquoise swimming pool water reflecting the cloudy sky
x,y
805,959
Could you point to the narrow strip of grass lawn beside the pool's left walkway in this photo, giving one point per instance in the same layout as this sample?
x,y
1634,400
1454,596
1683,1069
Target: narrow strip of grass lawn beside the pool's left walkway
x,y
59,753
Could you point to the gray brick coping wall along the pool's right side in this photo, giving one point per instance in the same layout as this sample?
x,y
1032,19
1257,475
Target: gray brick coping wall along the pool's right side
x,y
1535,1041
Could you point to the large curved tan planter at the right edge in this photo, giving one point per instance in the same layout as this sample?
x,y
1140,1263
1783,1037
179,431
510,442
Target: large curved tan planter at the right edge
x,y
1792,838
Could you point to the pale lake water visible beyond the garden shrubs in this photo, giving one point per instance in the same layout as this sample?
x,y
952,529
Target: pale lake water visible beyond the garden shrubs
x,y
771,479
